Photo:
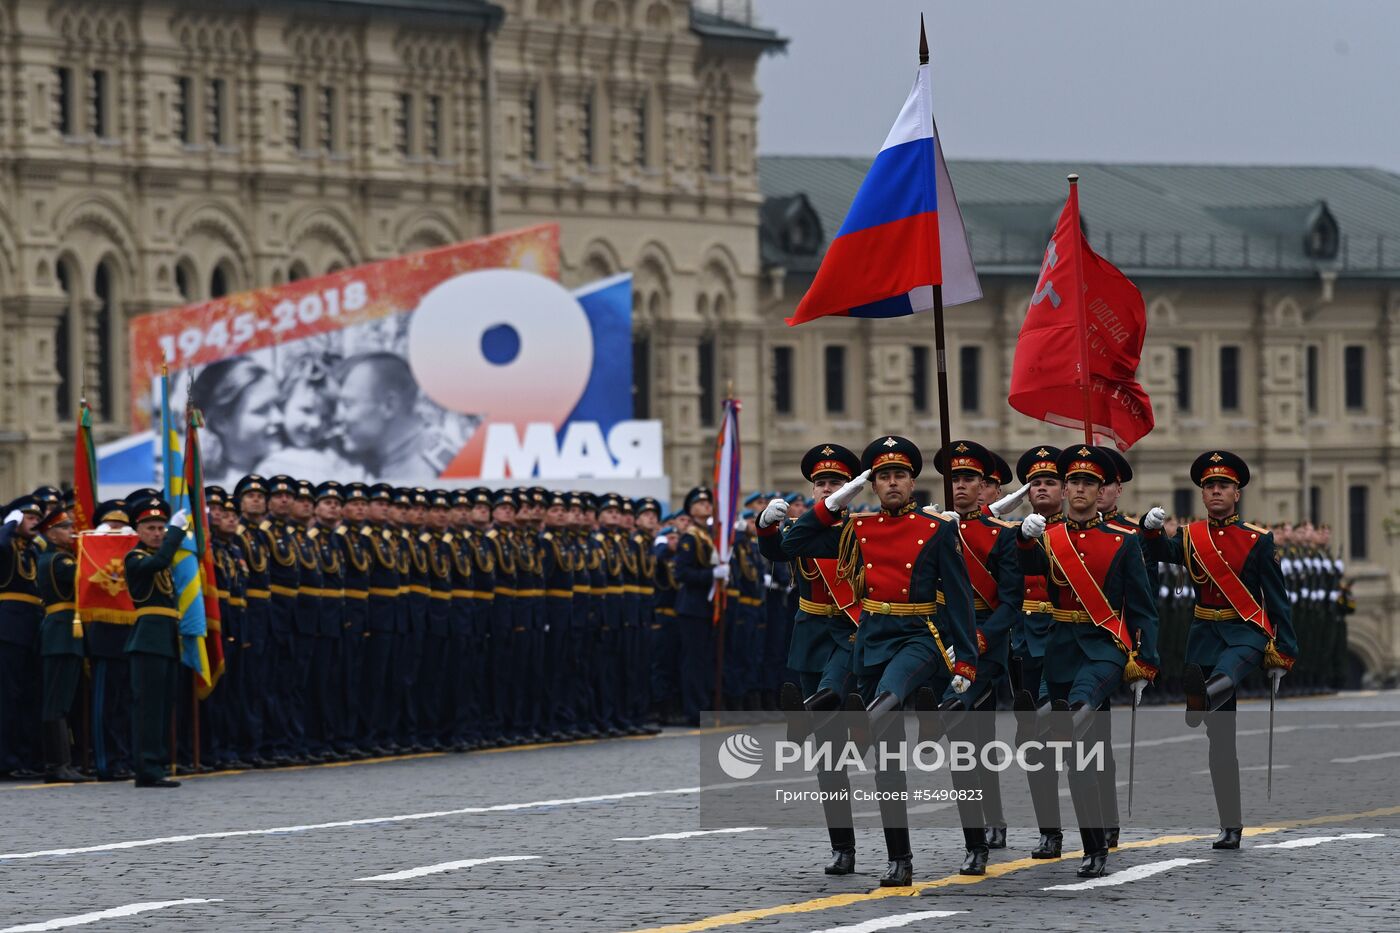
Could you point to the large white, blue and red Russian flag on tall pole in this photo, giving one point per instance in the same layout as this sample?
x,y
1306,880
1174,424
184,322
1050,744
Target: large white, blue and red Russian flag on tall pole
x,y
904,233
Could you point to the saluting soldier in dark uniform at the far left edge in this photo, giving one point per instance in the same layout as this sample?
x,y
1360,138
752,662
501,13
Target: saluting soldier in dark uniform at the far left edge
x,y
22,610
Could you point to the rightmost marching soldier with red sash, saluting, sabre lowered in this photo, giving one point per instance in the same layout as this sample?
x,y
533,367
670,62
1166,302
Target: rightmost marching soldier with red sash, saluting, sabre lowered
x,y
1242,620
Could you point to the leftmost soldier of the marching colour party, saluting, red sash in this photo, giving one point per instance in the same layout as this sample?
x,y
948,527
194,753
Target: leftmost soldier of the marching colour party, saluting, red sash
x,y
821,645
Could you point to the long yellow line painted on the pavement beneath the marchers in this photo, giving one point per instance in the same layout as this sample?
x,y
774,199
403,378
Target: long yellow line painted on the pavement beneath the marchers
x,y
995,871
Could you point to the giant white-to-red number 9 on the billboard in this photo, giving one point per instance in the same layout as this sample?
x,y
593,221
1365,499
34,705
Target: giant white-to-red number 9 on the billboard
x,y
510,347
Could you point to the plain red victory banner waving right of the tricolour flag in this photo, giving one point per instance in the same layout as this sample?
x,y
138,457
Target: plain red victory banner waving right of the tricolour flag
x,y
1081,344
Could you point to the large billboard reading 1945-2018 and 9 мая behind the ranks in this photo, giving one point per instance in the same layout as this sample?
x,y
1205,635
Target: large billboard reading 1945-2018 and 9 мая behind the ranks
x,y
463,364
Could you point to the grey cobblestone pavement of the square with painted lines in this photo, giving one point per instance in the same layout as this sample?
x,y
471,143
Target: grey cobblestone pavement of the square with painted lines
x,y
554,838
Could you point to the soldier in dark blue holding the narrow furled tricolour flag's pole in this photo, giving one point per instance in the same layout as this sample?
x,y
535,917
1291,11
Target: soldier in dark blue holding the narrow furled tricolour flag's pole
x,y
696,575
